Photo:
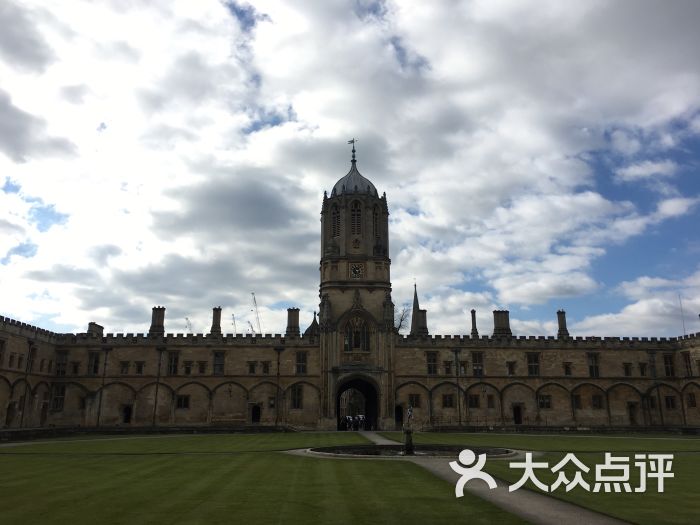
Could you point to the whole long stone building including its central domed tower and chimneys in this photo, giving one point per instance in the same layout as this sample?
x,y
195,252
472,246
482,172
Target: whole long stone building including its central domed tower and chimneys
x,y
350,360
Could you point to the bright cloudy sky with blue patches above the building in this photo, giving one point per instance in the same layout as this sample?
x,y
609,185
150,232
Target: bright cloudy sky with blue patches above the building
x,y
535,156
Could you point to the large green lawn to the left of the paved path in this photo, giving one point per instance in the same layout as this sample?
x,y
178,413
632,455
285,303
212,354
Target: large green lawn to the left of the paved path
x,y
222,479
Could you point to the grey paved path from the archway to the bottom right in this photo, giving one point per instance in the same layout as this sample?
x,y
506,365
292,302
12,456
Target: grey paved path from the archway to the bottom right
x,y
527,504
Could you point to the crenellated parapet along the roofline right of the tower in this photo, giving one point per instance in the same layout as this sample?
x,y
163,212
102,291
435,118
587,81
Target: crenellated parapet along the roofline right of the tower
x,y
532,341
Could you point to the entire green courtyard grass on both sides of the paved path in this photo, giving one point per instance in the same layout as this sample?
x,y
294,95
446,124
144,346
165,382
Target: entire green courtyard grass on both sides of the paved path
x,y
248,478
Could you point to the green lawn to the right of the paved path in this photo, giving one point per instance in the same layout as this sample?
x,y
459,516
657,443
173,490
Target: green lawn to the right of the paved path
x,y
680,503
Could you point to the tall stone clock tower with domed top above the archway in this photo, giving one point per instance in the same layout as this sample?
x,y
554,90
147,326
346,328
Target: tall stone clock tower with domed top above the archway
x,y
356,316
